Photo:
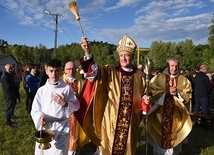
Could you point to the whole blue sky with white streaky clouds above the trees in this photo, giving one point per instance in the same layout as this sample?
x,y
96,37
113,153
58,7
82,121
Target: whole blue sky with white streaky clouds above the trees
x,y
25,21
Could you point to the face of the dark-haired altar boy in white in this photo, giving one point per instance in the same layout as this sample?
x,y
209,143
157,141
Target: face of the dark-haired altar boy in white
x,y
53,74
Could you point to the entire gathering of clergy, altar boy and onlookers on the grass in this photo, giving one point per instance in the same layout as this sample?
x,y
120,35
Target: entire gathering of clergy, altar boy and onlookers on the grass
x,y
105,107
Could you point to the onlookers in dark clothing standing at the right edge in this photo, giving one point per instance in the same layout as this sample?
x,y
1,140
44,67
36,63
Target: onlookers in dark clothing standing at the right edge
x,y
203,93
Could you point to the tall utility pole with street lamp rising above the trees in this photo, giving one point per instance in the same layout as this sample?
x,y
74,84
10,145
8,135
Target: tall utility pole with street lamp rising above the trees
x,y
56,29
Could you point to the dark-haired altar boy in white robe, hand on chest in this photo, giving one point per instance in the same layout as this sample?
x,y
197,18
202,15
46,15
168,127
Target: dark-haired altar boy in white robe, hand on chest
x,y
53,104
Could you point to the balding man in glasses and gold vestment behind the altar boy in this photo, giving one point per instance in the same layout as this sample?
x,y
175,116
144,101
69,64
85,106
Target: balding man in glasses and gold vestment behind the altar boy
x,y
77,136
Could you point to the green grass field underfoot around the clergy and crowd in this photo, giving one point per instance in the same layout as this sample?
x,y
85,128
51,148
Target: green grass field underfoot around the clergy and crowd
x,y
20,141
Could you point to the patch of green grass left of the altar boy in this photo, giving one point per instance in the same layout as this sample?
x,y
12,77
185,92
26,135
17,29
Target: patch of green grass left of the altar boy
x,y
18,141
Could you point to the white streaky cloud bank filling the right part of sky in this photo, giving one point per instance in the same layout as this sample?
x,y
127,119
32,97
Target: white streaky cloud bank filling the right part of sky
x,y
165,21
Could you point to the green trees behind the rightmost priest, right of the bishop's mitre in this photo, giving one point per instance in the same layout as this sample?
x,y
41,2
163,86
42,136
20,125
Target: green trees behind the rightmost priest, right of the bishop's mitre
x,y
191,57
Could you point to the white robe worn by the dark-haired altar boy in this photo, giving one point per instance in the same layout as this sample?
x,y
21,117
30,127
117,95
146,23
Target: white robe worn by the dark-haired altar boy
x,y
55,114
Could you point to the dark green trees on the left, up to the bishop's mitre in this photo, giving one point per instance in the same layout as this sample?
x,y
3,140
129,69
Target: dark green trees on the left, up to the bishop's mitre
x,y
38,55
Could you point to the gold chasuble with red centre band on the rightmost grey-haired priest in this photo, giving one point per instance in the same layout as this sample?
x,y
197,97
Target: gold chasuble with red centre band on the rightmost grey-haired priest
x,y
170,123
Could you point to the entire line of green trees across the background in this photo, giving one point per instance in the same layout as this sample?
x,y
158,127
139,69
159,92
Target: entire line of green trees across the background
x,y
191,56
